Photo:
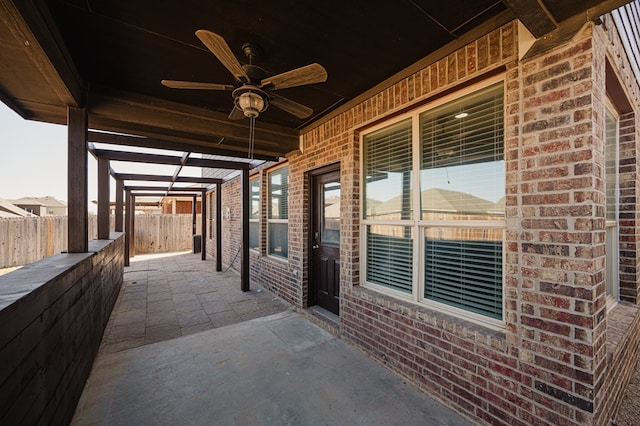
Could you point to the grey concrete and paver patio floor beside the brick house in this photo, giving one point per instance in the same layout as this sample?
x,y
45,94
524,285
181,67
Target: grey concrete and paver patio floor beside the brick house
x,y
185,346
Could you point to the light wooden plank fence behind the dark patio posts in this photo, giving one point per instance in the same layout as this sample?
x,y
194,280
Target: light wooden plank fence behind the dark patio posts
x,y
26,240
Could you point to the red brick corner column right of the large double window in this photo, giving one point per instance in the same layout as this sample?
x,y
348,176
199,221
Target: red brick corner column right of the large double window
x,y
557,296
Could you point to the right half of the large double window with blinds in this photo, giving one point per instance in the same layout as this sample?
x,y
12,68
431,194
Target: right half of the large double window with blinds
x,y
462,179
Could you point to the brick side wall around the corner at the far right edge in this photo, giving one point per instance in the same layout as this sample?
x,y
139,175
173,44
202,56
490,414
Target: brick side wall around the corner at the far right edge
x,y
622,322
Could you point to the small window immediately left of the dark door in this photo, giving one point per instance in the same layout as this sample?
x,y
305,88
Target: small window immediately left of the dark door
x,y
278,212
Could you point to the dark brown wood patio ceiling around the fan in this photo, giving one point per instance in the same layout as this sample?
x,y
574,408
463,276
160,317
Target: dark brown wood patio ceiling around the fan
x,y
110,55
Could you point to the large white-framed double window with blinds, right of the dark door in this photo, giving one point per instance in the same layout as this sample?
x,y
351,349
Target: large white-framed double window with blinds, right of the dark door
x,y
449,224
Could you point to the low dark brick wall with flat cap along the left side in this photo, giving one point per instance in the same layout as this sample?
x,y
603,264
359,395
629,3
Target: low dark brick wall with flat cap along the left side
x,y
53,313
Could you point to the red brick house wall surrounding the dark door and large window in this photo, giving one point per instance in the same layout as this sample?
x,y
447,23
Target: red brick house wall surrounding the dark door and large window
x,y
553,363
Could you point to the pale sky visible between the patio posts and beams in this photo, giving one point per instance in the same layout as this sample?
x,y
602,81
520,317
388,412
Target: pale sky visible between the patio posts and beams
x,y
33,161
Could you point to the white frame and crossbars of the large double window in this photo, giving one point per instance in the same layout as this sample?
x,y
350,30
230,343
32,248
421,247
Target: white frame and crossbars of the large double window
x,y
418,225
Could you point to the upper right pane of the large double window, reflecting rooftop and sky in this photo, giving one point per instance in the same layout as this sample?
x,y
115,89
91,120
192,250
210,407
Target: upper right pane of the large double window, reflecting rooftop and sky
x,y
462,174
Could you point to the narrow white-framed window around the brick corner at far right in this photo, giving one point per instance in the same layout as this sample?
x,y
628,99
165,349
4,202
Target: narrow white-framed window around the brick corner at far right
x,y
612,227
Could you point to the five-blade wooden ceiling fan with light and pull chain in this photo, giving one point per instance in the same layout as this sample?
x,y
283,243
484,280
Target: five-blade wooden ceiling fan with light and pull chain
x,y
253,91
